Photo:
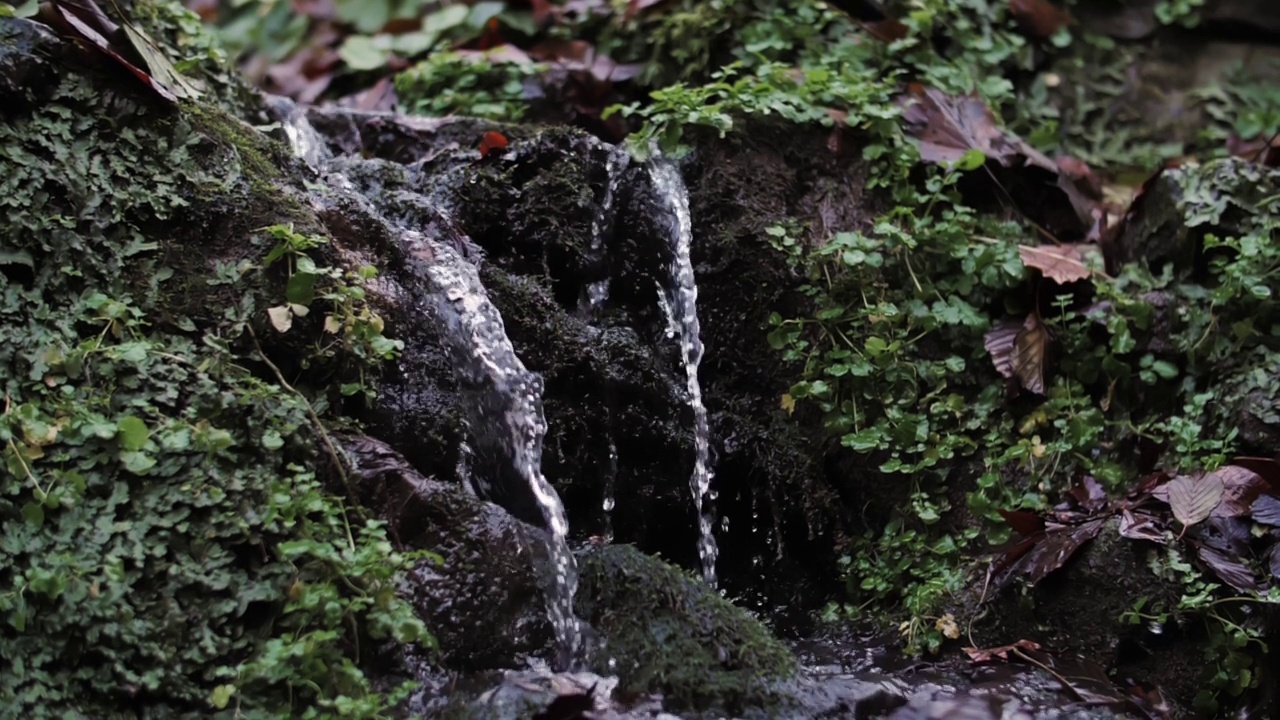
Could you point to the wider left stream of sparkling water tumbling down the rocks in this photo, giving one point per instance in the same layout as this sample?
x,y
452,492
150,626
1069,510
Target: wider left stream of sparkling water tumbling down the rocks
x,y
505,416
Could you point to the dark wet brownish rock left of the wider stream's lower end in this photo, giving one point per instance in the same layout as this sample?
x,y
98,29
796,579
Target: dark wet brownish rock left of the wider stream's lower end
x,y
483,601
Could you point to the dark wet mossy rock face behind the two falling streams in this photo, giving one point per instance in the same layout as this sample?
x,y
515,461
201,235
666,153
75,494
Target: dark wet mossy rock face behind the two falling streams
x,y
555,217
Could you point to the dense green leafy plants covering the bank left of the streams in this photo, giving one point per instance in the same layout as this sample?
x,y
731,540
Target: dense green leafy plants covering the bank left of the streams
x,y
168,546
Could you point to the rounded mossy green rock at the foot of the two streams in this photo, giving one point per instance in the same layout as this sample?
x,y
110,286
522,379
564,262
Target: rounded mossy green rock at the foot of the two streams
x,y
669,634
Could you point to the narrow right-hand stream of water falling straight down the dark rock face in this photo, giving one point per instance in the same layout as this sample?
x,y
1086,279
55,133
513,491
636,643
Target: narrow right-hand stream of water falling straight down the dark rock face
x,y
680,303
